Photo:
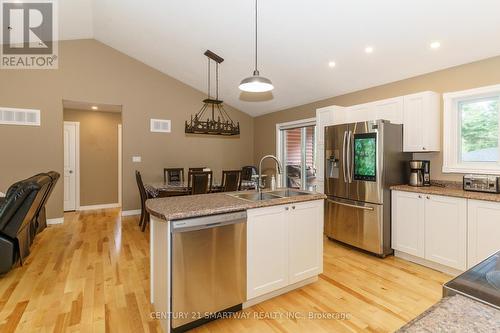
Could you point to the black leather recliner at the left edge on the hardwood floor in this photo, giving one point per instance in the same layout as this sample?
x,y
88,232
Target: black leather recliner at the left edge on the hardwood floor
x,y
18,211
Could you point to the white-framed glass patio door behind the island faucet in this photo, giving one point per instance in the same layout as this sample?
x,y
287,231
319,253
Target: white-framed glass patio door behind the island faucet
x,y
296,149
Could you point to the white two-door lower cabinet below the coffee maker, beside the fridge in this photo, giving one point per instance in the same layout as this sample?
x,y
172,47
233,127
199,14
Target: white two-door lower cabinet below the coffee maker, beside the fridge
x,y
430,227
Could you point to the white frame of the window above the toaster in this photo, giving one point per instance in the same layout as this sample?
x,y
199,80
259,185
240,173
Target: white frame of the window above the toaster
x,y
452,144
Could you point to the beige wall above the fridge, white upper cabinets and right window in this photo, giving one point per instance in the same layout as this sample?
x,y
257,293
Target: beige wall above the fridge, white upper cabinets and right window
x,y
477,74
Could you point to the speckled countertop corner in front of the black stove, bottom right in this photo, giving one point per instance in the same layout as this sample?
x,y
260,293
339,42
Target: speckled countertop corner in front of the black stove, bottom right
x,y
456,314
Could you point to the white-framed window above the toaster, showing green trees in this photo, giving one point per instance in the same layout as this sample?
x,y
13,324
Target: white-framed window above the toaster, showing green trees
x,y
472,131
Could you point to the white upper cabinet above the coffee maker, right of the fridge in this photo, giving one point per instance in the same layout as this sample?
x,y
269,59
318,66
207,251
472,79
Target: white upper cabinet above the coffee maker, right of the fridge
x,y
421,122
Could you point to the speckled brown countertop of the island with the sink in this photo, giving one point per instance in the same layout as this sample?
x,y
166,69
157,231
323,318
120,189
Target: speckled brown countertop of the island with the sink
x,y
182,207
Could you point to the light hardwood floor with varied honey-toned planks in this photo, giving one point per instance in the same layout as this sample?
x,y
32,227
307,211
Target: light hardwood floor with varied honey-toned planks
x,y
92,274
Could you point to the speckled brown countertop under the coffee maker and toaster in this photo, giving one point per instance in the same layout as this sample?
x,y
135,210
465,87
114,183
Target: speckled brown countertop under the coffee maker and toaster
x,y
446,188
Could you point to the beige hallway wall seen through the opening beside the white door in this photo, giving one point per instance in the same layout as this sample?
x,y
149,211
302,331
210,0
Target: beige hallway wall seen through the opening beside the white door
x,y
98,155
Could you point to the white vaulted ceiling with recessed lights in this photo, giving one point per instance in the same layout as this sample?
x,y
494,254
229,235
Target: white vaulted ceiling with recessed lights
x,y
297,40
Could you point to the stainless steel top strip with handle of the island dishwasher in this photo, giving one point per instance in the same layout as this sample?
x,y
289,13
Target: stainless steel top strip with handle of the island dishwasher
x,y
208,222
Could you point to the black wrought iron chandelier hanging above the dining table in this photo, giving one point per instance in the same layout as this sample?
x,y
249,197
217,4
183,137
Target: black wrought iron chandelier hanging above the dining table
x,y
205,121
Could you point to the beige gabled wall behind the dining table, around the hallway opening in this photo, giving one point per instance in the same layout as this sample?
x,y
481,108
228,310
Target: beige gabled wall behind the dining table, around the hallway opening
x,y
92,72
